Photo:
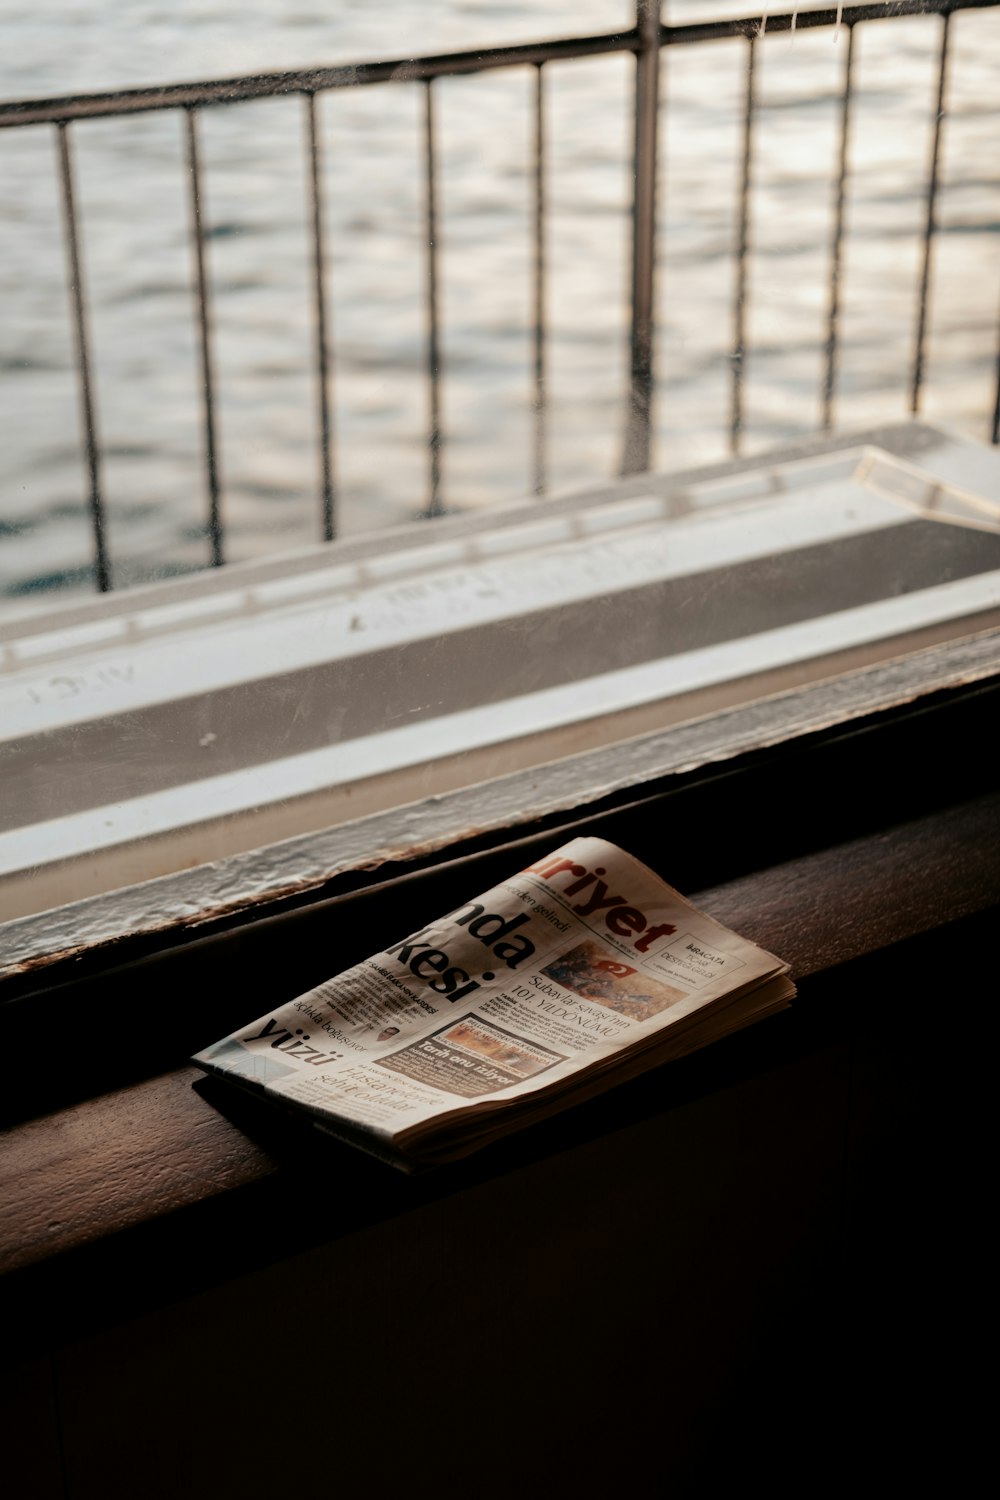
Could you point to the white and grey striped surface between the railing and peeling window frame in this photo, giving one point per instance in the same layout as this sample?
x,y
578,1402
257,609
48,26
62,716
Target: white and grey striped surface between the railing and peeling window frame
x,y
178,725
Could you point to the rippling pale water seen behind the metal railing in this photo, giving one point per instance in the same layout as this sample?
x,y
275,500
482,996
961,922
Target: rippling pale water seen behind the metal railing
x,y
134,206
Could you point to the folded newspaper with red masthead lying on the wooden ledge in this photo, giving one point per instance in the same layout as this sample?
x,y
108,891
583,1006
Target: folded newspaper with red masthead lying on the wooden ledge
x,y
573,976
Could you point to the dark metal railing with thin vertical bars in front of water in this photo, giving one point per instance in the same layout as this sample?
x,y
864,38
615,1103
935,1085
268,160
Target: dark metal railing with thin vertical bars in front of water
x,y
645,43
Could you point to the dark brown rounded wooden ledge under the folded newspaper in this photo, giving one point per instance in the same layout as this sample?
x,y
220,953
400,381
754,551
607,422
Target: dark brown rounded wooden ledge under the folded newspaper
x,y
172,1183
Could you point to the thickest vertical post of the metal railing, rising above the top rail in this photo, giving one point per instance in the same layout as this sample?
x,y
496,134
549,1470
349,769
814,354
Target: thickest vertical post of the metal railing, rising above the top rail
x,y
638,430
